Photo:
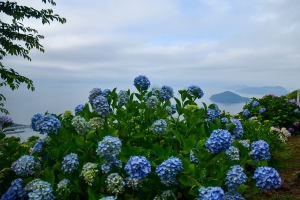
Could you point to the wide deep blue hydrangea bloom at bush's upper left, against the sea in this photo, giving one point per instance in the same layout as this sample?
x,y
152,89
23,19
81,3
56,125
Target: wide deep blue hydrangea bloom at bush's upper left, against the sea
x,y
45,124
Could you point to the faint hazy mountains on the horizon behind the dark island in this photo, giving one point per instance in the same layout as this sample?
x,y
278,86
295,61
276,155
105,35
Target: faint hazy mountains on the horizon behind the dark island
x,y
277,90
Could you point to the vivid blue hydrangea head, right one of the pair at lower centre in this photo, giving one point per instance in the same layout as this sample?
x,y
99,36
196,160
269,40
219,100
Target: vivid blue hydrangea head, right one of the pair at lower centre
x,y
168,170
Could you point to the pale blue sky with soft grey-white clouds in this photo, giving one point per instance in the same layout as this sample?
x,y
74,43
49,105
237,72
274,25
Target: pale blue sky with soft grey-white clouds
x,y
215,43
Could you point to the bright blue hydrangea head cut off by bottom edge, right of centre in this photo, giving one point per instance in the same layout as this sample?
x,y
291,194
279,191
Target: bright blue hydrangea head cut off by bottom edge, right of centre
x,y
211,193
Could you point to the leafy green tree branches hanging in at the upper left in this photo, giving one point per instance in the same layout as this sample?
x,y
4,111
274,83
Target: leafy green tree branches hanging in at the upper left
x,y
12,34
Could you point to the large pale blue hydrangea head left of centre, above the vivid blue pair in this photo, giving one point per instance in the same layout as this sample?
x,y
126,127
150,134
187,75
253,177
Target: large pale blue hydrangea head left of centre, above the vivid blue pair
x,y
109,147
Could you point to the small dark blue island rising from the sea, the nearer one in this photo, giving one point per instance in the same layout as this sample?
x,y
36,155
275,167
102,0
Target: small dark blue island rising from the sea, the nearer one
x,y
228,97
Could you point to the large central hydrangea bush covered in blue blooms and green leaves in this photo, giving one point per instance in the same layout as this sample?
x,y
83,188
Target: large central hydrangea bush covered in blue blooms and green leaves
x,y
140,145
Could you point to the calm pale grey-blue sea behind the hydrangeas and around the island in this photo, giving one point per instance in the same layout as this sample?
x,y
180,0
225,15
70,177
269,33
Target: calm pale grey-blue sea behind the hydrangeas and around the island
x,y
23,104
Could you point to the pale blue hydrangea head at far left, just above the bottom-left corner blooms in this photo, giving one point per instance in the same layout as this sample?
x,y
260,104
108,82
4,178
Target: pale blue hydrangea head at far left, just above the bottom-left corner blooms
x,y
24,166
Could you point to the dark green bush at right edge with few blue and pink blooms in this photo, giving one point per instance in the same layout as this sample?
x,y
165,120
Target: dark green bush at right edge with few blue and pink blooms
x,y
279,111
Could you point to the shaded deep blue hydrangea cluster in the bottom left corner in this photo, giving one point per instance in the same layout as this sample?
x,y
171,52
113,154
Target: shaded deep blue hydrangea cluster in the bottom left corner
x,y
15,190
